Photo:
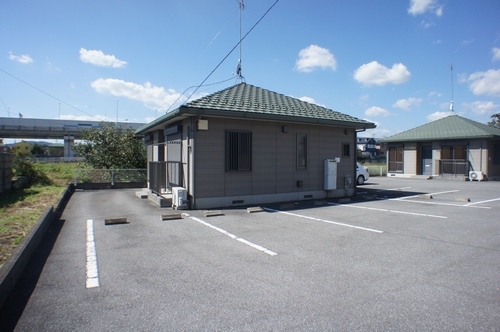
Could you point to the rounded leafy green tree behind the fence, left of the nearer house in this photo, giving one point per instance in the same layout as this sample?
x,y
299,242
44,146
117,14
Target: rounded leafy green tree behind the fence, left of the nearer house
x,y
111,147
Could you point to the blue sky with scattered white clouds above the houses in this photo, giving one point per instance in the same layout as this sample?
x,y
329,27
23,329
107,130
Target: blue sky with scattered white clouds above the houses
x,y
388,62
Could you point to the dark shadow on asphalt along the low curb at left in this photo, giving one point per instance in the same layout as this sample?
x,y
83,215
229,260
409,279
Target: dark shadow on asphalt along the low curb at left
x,y
17,301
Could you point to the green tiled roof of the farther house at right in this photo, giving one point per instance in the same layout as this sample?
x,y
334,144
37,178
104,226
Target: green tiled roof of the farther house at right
x,y
448,128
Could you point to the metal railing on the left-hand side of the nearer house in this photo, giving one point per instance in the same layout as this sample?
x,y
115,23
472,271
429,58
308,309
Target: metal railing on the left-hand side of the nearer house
x,y
163,175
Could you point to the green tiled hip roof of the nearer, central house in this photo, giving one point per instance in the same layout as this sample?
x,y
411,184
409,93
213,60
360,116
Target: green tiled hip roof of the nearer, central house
x,y
247,101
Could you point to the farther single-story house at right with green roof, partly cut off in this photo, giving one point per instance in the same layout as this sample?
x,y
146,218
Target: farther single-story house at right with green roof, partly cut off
x,y
451,146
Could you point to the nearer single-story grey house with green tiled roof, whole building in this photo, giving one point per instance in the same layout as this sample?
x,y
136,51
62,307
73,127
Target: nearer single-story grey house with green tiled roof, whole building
x,y
246,145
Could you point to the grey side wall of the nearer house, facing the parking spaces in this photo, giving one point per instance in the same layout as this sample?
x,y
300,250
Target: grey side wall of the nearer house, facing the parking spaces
x,y
274,174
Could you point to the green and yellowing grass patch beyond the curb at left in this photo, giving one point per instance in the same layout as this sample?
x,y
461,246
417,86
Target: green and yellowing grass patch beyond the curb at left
x,y
20,209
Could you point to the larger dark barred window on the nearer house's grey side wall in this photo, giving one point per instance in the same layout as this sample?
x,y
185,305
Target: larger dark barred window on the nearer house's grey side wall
x,y
238,151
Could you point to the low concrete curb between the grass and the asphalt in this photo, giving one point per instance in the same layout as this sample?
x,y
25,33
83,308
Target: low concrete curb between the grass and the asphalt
x,y
14,267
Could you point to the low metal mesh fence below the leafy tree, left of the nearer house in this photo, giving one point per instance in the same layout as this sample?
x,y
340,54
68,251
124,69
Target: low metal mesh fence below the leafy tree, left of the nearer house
x,y
112,176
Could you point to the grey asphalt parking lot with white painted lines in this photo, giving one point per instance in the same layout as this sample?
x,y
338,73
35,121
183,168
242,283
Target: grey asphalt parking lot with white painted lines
x,y
402,254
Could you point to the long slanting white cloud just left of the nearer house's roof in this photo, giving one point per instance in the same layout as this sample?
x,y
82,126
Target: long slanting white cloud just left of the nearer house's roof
x,y
153,97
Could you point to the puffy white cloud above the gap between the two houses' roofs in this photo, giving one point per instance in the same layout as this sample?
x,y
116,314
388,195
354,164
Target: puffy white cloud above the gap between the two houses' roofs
x,y
375,73
